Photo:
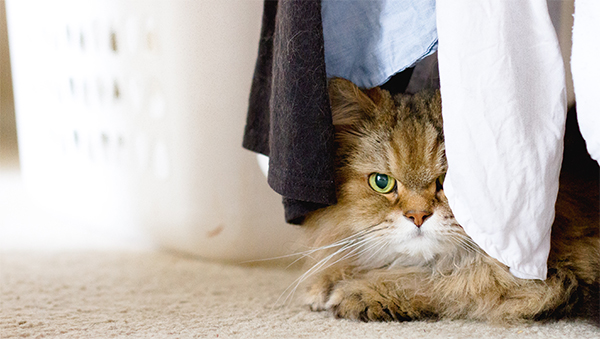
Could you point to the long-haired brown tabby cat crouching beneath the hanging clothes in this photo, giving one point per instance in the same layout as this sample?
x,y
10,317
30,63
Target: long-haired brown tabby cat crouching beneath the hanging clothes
x,y
391,248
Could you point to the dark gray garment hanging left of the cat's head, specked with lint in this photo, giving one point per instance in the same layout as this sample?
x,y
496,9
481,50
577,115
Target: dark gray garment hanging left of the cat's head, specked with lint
x,y
289,117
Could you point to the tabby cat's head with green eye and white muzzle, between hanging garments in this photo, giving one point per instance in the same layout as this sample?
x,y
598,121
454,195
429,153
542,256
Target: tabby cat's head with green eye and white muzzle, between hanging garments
x,y
390,170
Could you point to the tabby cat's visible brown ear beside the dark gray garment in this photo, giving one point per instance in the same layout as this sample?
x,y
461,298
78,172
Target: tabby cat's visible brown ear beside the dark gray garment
x,y
349,103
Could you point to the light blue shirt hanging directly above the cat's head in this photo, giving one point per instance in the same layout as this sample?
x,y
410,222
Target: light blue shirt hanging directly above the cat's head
x,y
368,41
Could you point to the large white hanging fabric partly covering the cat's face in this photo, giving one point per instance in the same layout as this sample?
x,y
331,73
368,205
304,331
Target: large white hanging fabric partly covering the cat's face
x,y
504,106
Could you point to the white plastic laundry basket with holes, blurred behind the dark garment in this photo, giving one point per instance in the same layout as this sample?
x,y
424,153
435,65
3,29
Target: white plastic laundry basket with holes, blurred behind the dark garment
x,y
132,113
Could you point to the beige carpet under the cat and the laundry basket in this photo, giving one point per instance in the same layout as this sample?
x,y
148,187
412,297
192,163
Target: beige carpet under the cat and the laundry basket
x,y
147,294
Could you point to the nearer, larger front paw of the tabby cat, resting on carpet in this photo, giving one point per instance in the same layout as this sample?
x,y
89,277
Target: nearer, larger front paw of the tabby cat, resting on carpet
x,y
356,300
